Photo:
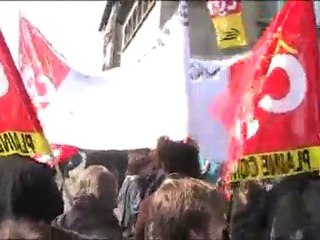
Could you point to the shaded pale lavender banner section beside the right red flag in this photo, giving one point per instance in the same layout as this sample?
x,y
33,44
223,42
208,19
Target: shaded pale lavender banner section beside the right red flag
x,y
206,80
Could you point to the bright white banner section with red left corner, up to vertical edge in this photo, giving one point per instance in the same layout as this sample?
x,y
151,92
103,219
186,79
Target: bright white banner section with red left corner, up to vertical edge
x,y
124,108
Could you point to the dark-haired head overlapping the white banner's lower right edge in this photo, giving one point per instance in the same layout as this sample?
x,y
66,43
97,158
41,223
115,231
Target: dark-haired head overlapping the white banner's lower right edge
x,y
179,157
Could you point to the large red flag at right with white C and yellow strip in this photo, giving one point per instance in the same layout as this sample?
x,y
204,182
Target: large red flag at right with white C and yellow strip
x,y
271,105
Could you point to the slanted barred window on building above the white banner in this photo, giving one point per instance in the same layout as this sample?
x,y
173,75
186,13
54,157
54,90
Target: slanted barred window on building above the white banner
x,y
135,18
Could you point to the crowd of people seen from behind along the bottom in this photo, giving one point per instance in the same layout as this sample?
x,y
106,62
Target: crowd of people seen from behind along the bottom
x,y
162,194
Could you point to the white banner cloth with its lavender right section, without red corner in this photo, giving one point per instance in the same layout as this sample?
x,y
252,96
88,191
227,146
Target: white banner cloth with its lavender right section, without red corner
x,y
131,107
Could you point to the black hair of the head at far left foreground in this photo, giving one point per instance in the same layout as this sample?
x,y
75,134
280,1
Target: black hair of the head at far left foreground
x,y
35,194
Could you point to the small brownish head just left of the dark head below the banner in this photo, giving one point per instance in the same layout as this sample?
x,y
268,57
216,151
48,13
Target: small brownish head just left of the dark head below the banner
x,y
139,163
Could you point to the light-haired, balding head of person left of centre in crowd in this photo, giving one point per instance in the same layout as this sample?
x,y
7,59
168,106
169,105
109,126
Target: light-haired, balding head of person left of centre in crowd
x,y
100,183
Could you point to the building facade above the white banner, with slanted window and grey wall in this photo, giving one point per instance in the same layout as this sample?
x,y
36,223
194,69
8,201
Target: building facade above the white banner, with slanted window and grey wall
x,y
138,22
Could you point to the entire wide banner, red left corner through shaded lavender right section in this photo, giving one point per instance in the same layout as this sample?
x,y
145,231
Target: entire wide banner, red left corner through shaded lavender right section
x,y
205,79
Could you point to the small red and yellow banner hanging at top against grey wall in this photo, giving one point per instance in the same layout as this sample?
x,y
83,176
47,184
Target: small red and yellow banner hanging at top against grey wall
x,y
226,17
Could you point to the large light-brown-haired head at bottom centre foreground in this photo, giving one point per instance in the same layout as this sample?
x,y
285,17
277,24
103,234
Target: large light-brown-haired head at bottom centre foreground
x,y
187,209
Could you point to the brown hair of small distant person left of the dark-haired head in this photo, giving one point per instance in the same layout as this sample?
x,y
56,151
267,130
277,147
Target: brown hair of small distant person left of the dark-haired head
x,y
137,161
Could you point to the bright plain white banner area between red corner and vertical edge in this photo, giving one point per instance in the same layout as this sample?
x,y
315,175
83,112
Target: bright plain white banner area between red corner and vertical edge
x,y
125,108
